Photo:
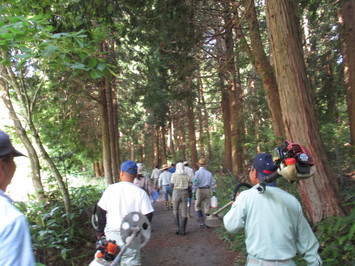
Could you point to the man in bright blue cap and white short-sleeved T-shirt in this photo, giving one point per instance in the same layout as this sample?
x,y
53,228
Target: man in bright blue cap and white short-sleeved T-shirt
x,y
117,201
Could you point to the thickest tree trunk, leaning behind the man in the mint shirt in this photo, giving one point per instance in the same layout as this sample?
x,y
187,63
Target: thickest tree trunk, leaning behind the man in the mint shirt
x,y
319,194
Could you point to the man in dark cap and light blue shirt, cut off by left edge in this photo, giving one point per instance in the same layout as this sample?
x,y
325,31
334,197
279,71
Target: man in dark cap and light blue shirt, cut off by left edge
x,y
15,240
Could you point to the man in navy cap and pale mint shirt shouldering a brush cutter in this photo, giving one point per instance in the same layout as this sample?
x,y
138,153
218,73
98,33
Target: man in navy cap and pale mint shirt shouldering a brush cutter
x,y
275,227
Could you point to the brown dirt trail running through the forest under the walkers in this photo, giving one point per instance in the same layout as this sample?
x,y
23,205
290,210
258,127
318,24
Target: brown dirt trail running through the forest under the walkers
x,y
197,247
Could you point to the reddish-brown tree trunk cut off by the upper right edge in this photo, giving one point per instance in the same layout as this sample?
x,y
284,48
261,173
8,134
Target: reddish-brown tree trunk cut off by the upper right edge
x,y
347,20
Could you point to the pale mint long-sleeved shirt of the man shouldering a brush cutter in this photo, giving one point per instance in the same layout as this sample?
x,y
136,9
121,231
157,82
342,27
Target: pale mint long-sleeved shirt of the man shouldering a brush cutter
x,y
275,227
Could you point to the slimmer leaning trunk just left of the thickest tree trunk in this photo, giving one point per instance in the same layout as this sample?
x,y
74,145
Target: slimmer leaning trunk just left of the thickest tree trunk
x,y
263,67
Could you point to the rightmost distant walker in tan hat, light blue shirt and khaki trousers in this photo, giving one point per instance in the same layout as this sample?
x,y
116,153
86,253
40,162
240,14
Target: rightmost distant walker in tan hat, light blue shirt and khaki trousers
x,y
203,184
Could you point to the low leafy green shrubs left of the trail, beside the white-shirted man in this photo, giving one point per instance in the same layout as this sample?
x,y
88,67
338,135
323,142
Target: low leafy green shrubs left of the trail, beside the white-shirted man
x,y
55,241
